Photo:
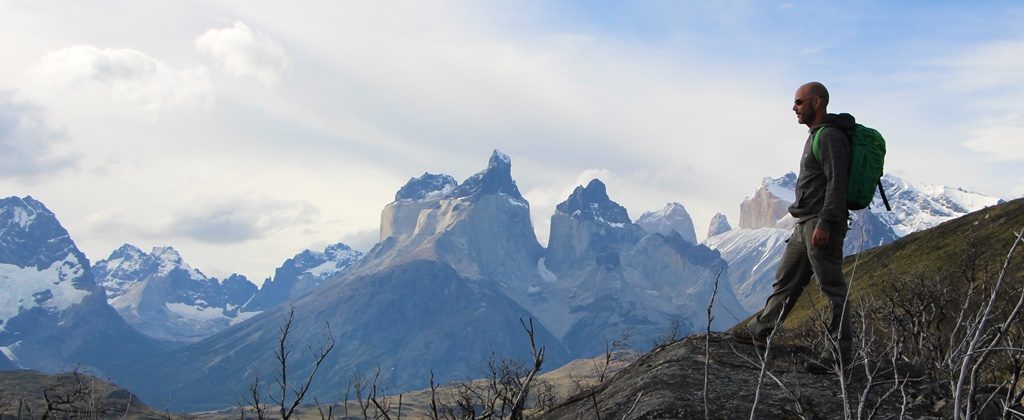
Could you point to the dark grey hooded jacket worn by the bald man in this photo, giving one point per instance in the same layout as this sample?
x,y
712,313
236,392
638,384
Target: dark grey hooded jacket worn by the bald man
x,y
822,186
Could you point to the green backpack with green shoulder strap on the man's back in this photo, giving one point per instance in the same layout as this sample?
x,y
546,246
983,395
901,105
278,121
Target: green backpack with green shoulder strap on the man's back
x,y
868,157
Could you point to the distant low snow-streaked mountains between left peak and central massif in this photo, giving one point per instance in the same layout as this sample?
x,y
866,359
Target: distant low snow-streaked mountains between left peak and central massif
x,y
162,297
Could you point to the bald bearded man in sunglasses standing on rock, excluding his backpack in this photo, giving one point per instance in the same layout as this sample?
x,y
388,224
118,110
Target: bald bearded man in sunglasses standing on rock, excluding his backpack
x,y
817,244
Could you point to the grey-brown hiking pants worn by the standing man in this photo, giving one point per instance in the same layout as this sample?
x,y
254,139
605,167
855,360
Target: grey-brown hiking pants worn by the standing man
x,y
800,262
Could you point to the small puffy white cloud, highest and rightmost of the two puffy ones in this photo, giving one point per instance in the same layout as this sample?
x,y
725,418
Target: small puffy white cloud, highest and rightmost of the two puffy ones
x,y
244,53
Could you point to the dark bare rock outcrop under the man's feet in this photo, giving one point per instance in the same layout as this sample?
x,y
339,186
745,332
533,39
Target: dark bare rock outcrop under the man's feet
x,y
669,384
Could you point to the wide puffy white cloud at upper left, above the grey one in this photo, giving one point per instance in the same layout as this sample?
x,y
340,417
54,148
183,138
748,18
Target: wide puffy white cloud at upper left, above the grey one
x,y
122,80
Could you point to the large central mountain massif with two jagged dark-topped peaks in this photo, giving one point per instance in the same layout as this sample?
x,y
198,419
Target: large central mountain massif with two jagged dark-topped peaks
x,y
448,285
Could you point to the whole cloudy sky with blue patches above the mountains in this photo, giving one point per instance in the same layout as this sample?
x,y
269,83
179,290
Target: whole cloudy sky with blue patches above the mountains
x,y
242,133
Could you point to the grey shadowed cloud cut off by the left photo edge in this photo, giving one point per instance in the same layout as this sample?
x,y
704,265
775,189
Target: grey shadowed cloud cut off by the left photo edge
x,y
29,147
